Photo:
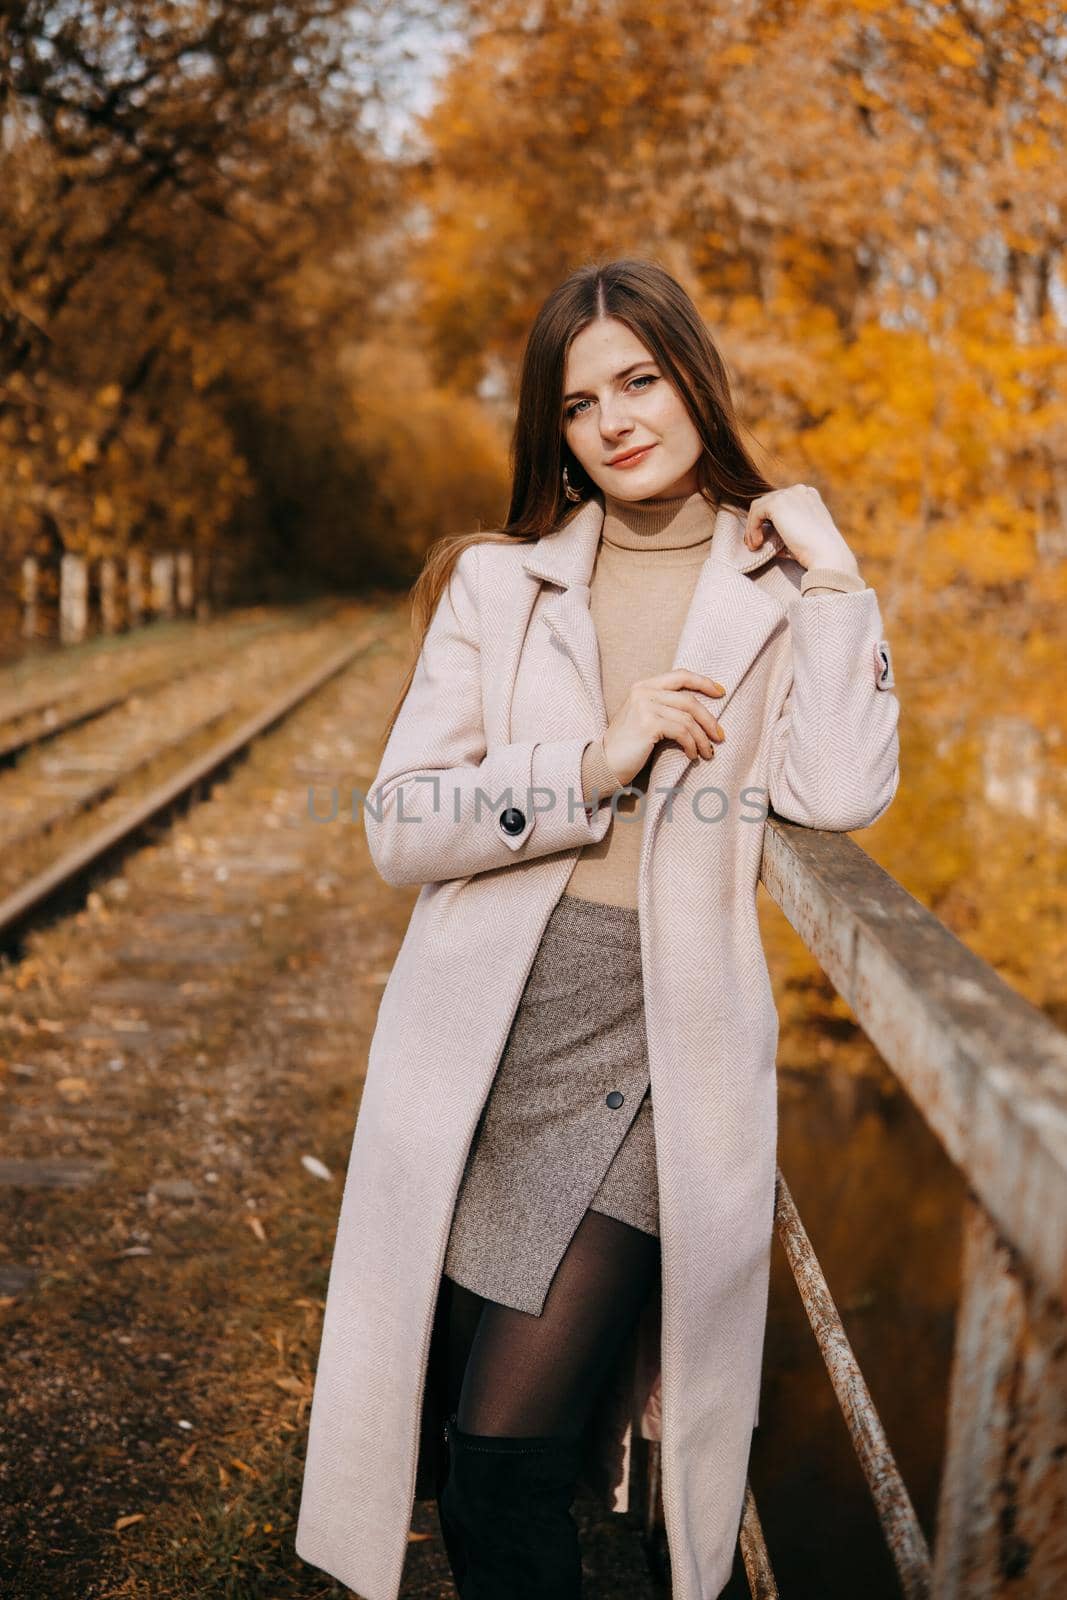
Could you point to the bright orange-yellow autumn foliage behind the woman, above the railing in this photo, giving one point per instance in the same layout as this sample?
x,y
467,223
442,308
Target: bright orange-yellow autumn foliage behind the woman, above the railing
x,y
866,204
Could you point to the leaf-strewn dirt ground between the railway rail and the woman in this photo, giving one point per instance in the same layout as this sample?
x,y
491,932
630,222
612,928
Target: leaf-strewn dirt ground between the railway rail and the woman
x,y
169,1060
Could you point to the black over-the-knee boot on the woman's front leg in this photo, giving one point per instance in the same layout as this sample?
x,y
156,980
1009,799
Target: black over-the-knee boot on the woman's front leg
x,y
510,1500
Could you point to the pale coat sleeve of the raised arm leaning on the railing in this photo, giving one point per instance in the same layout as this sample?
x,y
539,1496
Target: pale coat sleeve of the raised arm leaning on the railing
x,y
834,748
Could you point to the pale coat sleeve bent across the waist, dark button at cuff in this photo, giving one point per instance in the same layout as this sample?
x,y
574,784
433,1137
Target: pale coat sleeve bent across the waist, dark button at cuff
x,y
442,806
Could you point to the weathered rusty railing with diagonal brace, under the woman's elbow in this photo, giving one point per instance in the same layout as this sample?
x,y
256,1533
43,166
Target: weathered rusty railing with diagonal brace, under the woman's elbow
x,y
989,1074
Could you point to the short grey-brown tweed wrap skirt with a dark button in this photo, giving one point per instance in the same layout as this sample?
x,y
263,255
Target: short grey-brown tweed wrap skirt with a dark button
x,y
569,1121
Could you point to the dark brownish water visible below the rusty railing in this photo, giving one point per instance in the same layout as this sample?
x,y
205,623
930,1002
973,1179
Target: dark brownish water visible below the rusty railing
x,y
882,1206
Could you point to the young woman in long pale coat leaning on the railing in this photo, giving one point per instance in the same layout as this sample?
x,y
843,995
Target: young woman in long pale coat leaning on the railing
x,y
527,1270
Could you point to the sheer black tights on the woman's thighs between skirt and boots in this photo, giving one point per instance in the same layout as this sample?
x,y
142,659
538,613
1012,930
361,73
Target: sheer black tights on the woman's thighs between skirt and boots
x,y
513,1374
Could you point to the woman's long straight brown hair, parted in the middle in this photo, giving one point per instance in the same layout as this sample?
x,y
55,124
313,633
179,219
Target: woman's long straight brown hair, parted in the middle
x,y
660,313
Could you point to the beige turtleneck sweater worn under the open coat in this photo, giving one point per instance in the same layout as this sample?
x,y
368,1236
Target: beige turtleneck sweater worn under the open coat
x,y
642,585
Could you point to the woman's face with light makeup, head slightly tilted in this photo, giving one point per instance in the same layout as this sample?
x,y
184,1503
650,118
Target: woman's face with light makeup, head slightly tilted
x,y
618,401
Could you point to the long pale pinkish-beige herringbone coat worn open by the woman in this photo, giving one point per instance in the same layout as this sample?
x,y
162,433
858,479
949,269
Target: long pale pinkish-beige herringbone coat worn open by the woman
x,y
505,698
